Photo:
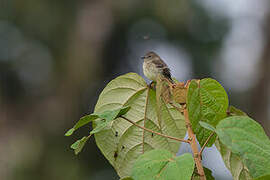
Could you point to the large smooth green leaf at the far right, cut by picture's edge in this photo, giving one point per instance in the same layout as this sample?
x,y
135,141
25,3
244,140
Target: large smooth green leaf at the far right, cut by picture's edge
x,y
246,138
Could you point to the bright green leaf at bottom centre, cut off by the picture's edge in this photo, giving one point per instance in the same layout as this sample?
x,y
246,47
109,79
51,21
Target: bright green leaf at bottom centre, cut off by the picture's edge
x,y
162,164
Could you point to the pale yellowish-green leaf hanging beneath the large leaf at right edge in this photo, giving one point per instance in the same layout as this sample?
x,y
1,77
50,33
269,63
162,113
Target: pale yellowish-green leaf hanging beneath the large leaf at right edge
x,y
233,162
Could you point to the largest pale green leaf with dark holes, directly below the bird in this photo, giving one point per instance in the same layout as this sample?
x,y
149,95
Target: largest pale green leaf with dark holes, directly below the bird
x,y
122,142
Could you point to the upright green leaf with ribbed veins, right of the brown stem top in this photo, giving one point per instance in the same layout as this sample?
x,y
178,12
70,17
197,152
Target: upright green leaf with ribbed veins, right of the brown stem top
x,y
208,102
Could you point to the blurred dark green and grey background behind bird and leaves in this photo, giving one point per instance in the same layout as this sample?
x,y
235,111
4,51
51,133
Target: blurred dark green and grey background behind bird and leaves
x,y
56,57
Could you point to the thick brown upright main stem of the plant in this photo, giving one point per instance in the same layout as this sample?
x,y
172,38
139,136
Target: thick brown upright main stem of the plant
x,y
194,147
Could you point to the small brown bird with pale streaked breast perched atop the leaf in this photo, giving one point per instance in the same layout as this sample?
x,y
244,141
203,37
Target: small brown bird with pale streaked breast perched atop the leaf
x,y
153,66
